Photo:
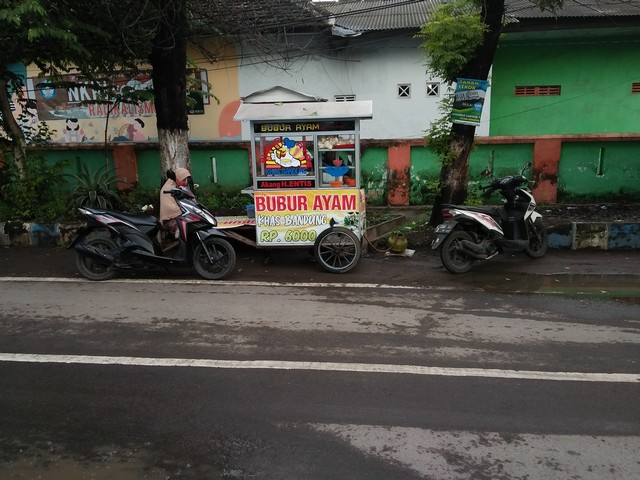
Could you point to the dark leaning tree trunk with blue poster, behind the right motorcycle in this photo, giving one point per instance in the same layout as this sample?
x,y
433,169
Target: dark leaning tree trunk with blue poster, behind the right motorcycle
x,y
454,174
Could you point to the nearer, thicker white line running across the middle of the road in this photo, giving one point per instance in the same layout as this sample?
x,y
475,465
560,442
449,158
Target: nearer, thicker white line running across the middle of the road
x,y
322,366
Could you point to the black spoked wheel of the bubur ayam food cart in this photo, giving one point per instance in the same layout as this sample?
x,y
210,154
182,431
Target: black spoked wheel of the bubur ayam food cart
x,y
337,249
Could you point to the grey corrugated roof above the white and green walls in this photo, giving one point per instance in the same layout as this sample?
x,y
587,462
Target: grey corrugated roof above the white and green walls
x,y
372,15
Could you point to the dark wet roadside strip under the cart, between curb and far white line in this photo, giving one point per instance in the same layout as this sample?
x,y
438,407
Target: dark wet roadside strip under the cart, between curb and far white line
x,y
600,273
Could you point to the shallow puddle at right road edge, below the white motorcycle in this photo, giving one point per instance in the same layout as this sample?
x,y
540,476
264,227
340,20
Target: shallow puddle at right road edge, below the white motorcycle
x,y
603,287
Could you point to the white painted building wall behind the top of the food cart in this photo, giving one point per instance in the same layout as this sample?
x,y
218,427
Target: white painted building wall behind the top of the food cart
x,y
369,69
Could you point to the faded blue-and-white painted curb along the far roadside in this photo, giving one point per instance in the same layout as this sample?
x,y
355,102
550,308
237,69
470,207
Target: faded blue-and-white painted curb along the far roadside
x,y
575,235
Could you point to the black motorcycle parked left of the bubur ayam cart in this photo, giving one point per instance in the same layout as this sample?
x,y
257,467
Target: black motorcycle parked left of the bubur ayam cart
x,y
112,241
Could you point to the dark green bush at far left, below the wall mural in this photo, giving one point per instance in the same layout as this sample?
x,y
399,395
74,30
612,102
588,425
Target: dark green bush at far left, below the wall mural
x,y
36,195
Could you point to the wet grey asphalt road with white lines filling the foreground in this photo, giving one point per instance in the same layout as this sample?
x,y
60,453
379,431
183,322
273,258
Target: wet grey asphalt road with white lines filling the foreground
x,y
397,370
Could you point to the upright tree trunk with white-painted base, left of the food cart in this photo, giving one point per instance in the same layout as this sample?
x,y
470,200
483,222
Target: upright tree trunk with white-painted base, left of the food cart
x,y
169,62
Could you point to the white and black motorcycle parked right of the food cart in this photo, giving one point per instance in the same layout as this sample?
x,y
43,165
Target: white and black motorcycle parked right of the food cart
x,y
469,234
